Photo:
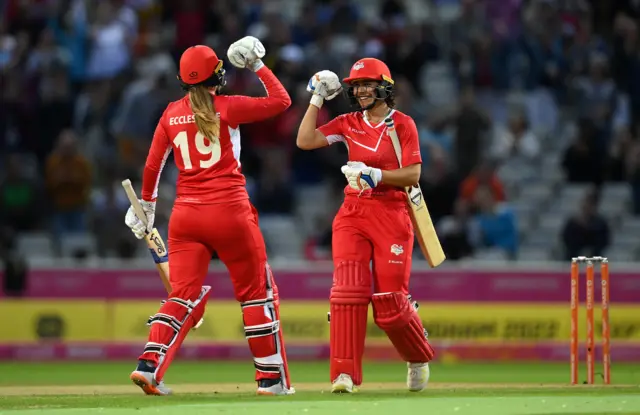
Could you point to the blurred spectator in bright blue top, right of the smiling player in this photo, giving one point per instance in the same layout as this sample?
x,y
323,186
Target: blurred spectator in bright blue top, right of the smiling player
x,y
495,224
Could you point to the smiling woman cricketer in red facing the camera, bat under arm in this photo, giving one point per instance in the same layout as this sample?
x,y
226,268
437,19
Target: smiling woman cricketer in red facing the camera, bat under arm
x,y
373,225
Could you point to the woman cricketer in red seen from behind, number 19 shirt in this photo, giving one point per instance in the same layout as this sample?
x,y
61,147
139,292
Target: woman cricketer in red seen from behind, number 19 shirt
x,y
211,213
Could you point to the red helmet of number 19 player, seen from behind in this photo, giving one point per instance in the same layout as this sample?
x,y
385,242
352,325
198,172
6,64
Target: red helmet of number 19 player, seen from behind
x,y
200,65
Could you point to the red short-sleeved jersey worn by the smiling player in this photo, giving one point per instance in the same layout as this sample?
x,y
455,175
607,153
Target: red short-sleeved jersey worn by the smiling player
x,y
371,145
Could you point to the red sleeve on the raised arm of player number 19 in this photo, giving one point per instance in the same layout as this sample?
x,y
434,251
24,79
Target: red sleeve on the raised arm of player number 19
x,y
242,109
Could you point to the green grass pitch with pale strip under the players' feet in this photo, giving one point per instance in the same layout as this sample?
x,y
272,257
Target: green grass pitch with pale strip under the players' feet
x,y
227,388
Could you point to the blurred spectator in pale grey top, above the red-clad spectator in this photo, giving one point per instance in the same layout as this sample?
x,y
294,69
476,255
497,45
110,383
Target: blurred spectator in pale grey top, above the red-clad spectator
x,y
517,149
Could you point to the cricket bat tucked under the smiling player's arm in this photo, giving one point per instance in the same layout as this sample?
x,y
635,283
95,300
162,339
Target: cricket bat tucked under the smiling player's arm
x,y
422,223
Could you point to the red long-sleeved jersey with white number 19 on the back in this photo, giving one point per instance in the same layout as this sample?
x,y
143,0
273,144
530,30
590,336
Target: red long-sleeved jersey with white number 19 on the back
x,y
209,172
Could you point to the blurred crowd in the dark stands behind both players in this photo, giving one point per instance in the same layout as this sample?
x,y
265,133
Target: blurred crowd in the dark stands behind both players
x,y
528,113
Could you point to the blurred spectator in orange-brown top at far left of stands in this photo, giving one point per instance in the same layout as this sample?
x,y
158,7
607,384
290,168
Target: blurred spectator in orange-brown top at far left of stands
x,y
69,179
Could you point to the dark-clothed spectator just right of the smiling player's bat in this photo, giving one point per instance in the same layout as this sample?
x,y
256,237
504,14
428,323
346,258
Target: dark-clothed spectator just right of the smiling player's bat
x,y
455,232
